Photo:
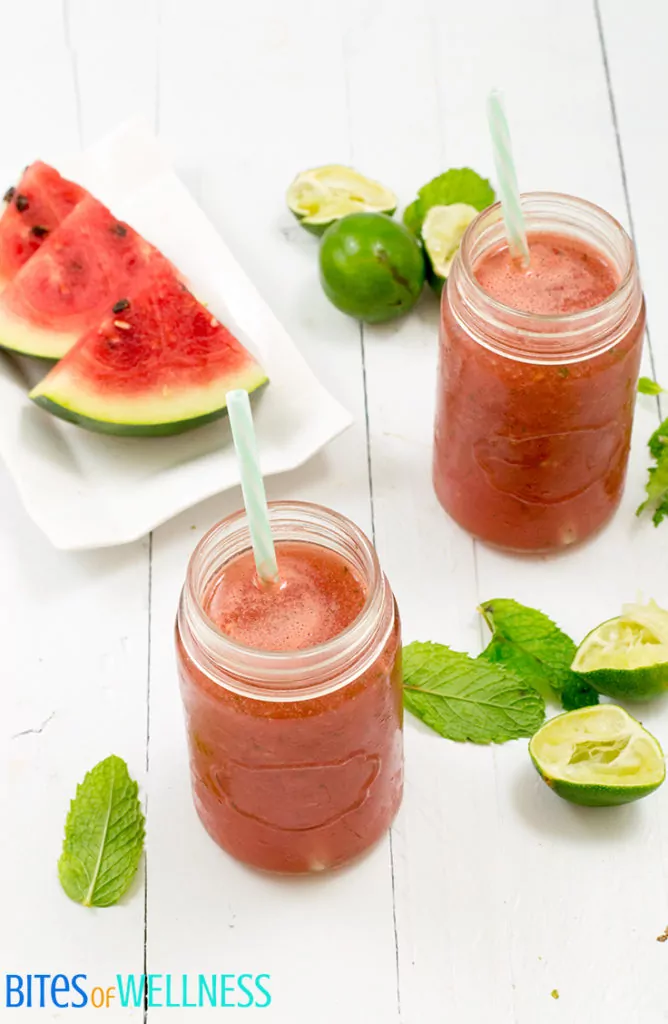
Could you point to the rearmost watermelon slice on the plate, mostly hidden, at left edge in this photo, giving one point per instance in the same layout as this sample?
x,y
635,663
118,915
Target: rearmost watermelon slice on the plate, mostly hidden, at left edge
x,y
38,204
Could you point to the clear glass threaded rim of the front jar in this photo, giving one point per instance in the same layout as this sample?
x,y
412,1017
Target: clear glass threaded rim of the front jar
x,y
267,670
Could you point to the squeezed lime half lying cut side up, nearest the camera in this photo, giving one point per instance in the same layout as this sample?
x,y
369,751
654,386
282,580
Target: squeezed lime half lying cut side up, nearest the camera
x,y
599,756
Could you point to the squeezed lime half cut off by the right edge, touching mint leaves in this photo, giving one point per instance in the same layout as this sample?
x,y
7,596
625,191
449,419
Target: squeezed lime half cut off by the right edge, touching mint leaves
x,y
628,658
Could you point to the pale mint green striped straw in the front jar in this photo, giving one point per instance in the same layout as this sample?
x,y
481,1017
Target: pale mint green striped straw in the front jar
x,y
253,485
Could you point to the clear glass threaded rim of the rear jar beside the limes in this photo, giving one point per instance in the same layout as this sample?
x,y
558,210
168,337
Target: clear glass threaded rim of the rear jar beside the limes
x,y
565,329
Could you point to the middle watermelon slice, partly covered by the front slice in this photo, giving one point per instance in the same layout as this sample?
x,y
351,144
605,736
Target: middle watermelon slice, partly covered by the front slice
x,y
68,286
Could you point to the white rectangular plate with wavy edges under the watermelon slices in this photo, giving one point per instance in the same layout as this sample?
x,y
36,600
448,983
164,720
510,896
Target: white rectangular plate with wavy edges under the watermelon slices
x,y
89,491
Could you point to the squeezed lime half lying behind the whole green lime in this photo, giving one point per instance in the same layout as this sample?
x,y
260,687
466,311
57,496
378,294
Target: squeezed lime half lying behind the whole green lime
x,y
323,195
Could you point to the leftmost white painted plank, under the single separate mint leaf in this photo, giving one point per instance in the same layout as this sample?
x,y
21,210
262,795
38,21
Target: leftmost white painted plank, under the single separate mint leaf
x,y
75,637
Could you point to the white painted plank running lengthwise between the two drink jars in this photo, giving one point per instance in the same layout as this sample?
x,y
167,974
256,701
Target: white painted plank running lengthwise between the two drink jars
x,y
452,923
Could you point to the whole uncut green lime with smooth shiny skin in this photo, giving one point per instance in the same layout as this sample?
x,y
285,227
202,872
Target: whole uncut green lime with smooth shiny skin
x,y
371,267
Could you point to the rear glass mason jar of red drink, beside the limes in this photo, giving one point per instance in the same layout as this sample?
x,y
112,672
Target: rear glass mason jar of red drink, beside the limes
x,y
534,412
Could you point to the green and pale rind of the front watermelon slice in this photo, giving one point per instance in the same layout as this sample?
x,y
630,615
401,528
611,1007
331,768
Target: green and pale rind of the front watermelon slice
x,y
151,415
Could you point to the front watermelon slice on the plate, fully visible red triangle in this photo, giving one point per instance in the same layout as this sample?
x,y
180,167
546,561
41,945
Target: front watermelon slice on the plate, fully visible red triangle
x,y
158,364
